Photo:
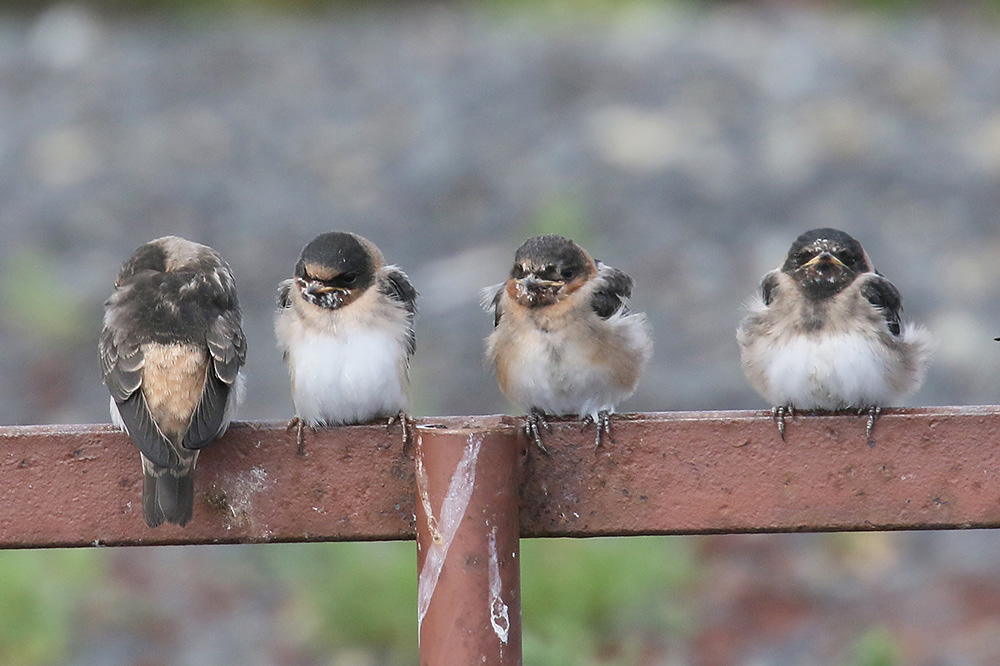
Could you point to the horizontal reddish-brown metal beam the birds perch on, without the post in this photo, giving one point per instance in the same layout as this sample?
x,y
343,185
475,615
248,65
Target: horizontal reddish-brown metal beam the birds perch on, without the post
x,y
665,473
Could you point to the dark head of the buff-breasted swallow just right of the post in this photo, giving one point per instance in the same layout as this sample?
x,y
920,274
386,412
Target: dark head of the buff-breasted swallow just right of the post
x,y
547,269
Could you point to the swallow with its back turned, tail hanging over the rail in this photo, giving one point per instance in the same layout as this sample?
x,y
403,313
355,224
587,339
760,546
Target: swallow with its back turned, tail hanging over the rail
x,y
172,350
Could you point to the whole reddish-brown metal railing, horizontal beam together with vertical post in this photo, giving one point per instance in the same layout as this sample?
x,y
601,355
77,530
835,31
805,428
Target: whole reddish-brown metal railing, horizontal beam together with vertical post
x,y
468,488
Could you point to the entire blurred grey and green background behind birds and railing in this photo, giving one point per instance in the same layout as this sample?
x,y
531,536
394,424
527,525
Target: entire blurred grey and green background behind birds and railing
x,y
685,142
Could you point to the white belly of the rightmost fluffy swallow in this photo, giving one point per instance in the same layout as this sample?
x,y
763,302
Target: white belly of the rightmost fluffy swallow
x,y
827,371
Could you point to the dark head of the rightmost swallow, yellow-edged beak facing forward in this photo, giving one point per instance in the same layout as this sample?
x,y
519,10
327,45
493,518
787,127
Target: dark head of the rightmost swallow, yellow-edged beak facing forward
x,y
825,261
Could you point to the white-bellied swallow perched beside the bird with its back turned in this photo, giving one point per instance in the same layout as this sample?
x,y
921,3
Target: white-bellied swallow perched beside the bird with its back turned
x,y
345,328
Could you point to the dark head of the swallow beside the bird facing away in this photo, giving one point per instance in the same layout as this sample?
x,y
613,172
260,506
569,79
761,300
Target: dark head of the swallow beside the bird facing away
x,y
335,268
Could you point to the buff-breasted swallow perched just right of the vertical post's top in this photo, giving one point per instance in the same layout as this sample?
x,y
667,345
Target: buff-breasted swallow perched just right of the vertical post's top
x,y
564,340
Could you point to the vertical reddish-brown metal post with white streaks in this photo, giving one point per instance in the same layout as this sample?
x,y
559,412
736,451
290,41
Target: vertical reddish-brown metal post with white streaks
x,y
468,557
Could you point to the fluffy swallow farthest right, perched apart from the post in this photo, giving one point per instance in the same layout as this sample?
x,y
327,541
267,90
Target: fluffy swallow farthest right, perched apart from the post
x,y
825,333
